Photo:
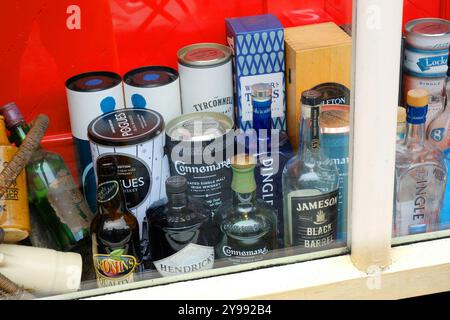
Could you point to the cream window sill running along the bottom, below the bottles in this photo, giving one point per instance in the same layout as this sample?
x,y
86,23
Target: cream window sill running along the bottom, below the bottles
x,y
416,269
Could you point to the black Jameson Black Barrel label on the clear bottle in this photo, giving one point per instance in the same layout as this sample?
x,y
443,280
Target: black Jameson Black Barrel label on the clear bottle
x,y
313,218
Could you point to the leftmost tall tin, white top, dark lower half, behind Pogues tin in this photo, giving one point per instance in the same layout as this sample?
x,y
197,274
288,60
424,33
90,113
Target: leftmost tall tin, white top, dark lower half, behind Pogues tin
x,y
90,95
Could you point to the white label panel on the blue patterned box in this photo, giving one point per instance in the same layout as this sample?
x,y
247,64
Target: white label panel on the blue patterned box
x,y
276,80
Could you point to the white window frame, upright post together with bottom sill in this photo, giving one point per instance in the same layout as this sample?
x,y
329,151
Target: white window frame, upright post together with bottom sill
x,y
373,269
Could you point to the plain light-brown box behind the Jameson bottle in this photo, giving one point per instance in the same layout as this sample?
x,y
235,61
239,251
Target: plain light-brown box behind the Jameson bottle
x,y
315,54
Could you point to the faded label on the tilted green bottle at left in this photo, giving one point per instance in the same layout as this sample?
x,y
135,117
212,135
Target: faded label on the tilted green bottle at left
x,y
68,203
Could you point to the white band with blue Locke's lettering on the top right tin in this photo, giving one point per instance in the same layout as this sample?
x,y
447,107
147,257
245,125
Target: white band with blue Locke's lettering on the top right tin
x,y
426,62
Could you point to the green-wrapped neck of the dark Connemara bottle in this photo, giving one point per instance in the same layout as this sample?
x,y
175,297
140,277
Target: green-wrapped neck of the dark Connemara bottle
x,y
243,186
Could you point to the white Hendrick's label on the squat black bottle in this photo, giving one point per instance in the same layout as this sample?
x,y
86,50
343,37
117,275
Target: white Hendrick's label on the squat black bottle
x,y
191,258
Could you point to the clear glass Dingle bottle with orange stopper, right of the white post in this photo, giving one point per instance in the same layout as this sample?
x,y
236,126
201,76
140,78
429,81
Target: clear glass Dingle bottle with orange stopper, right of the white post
x,y
420,173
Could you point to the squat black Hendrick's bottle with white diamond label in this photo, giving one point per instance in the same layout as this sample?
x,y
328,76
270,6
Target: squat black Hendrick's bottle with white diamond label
x,y
179,232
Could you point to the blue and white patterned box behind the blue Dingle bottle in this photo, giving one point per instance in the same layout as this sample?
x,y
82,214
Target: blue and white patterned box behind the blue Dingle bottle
x,y
257,43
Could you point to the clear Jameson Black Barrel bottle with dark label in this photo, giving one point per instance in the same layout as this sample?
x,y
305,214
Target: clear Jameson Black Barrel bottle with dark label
x,y
310,185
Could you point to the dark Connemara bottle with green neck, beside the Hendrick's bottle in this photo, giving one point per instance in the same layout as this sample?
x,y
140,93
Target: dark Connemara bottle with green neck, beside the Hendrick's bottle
x,y
248,224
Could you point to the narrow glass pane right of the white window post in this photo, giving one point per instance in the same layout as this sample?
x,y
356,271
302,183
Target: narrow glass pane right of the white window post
x,y
422,195
